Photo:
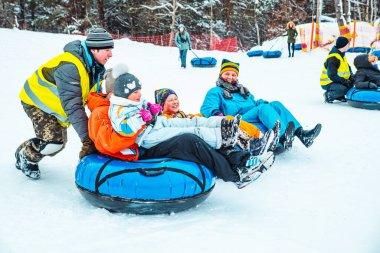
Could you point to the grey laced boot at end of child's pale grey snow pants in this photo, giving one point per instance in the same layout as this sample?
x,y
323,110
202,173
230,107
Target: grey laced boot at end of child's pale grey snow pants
x,y
230,131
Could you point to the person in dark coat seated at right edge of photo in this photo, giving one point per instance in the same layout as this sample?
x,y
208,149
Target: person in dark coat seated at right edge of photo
x,y
368,74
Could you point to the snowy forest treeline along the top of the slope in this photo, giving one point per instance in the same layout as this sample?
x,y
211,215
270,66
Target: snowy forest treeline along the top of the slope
x,y
251,21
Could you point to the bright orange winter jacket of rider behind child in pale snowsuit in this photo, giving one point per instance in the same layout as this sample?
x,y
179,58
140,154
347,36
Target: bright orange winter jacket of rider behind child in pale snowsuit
x,y
106,140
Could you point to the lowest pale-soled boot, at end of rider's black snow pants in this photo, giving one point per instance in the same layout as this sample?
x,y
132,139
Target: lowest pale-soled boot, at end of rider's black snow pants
x,y
254,167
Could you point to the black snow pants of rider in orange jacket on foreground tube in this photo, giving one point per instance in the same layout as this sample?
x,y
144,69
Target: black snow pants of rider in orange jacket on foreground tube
x,y
190,147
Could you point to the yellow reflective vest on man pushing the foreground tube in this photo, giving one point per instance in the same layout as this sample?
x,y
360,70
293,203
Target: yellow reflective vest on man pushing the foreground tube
x,y
41,93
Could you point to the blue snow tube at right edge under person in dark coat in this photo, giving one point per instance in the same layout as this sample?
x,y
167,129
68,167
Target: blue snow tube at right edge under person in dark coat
x,y
365,99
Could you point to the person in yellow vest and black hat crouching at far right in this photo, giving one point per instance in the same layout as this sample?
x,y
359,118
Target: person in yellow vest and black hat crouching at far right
x,y
337,78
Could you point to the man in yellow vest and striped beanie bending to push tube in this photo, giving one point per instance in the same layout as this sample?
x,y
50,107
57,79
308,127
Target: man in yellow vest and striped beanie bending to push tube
x,y
55,95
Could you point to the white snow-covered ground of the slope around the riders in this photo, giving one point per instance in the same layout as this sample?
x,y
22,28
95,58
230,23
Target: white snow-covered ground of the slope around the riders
x,y
318,200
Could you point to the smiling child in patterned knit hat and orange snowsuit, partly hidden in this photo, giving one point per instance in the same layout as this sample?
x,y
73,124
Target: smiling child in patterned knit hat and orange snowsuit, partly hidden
x,y
250,137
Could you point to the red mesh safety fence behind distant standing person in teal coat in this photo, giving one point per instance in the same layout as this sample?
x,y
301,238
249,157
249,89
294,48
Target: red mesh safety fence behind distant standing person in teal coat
x,y
201,42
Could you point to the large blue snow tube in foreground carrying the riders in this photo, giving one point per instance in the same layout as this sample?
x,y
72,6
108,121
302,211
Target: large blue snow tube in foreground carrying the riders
x,y
151,186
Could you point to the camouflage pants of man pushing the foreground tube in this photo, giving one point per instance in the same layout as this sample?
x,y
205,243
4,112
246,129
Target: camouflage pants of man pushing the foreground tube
x,y
47,130
